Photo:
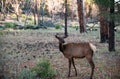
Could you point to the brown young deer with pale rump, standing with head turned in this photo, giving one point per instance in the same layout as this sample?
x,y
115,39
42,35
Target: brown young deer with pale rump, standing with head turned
x,y
77,50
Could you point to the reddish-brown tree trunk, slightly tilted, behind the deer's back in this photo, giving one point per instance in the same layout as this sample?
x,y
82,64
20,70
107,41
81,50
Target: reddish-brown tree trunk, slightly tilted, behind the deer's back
x,y
81,15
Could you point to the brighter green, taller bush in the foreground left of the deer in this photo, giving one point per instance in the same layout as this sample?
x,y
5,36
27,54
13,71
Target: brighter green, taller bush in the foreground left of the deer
x,y
44,70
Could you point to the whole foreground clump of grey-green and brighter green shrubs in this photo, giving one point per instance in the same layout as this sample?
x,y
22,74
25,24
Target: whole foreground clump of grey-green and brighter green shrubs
x,y
42,70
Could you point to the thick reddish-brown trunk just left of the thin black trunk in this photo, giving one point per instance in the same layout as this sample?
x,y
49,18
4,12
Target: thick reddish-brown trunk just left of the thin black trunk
x,y
104,25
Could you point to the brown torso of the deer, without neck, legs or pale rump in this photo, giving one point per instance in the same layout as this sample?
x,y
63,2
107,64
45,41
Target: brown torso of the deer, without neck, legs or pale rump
x,y
77,50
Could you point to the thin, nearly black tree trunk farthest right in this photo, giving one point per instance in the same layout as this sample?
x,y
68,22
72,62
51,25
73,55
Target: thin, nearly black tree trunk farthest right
x,y
111,28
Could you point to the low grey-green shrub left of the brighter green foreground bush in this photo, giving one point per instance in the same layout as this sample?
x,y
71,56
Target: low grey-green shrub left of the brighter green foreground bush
x,y
26,74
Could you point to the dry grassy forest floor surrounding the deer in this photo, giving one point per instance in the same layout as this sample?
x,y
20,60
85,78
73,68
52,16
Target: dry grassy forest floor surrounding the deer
x,y
22,48
